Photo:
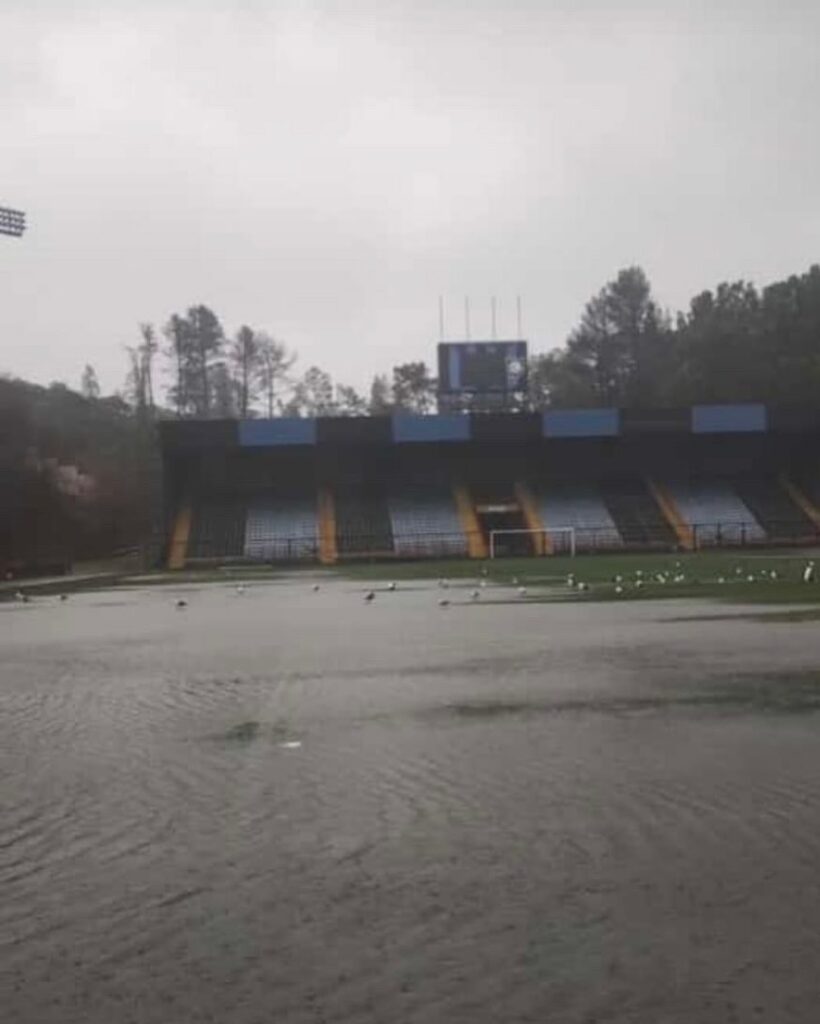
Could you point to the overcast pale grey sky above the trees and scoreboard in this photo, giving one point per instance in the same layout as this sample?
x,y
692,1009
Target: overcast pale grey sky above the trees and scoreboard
x,y
326,170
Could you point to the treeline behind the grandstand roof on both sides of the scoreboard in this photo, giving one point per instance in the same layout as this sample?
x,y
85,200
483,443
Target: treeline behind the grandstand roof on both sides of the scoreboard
x,y
737,344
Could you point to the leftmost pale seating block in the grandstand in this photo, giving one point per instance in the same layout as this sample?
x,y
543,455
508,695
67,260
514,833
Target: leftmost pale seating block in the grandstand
x,y
282,529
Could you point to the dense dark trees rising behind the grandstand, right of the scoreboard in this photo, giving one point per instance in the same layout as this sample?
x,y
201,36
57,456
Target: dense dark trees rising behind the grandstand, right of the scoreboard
x,y
737,344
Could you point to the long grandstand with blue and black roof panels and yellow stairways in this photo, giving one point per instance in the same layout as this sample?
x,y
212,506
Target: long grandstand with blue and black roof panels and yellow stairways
x,y
426,487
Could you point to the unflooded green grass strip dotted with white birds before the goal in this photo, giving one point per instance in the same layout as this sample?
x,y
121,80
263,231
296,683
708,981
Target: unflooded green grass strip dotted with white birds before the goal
x,y
546,578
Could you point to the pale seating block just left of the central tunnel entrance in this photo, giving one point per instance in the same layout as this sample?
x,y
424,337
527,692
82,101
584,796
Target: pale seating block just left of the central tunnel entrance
x,y
425,523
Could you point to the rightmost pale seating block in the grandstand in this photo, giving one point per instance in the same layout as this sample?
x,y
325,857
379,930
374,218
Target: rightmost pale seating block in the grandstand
x,y
715,511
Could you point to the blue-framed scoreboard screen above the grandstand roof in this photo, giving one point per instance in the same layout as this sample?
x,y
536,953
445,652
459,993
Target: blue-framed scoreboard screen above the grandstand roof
x,y
483,367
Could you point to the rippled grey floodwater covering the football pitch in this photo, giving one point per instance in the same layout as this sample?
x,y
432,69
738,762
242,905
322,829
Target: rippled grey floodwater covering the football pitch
x,y
292,806
